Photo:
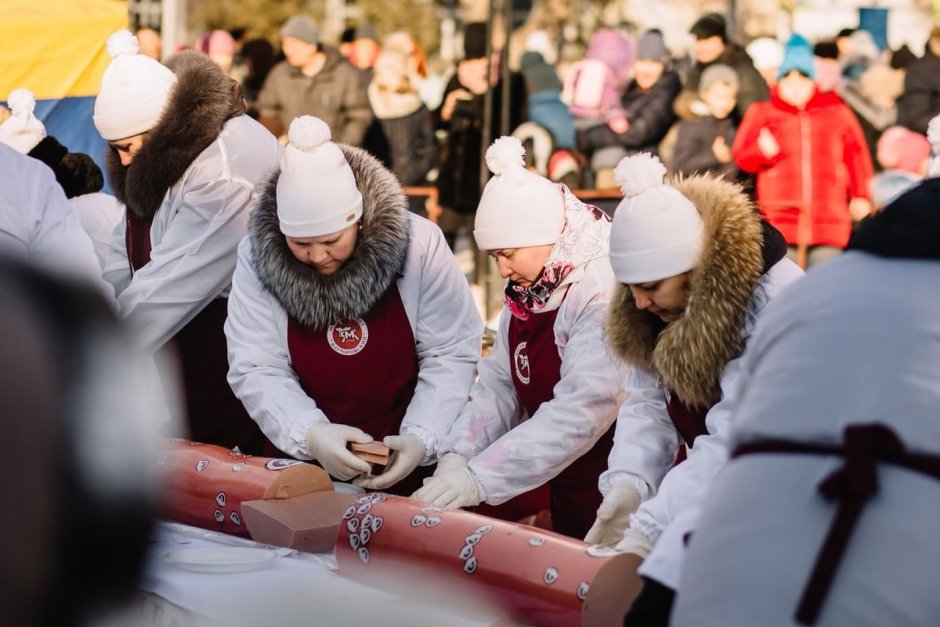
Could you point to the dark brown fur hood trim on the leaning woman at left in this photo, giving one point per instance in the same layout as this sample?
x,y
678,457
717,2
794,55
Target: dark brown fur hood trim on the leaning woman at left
x,y
199,104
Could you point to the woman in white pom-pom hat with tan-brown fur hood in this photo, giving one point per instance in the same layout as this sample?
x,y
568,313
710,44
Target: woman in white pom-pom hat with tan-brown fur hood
x,y
695,264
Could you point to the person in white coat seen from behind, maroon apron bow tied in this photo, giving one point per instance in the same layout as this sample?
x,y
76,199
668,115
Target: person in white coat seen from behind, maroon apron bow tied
x,y
827,512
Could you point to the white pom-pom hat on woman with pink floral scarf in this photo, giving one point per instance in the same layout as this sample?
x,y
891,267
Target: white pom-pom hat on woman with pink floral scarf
x,y
518,208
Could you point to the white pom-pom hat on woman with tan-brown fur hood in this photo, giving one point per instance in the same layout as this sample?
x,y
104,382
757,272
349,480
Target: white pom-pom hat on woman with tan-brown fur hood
x,y
657,232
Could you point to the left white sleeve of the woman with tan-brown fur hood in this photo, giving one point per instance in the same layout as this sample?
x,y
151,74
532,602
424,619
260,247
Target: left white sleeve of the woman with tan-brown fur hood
x,y
645,442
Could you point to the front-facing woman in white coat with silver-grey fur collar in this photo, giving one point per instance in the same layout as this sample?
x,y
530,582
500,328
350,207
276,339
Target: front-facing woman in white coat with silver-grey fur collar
x,y
349,318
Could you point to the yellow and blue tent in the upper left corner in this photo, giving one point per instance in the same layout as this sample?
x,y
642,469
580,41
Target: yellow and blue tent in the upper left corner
x,y
57,49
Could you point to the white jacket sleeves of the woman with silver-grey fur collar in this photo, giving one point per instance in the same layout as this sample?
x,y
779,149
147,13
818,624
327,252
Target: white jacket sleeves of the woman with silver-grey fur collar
x,y
443,318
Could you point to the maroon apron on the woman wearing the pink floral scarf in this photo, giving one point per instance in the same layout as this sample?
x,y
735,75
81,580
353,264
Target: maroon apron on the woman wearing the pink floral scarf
x,y
536,369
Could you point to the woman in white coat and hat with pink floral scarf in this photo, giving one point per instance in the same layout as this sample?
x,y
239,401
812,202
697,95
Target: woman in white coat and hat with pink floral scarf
x,y
543,408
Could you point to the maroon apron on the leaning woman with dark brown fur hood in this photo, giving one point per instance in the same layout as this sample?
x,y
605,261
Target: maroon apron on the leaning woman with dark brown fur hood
x,y
214,415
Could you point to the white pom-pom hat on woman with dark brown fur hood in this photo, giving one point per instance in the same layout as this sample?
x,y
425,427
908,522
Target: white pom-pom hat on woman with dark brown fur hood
x,y
134,90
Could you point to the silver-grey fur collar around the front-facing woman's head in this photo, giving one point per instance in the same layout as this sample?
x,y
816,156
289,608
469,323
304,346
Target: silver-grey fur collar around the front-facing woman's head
x,y
315,300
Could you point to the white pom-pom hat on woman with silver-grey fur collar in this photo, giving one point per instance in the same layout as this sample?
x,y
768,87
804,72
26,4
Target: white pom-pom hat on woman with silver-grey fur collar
x,y
316,191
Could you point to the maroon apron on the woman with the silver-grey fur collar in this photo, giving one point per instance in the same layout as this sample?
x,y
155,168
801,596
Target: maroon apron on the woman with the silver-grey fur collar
x,y
362,372
